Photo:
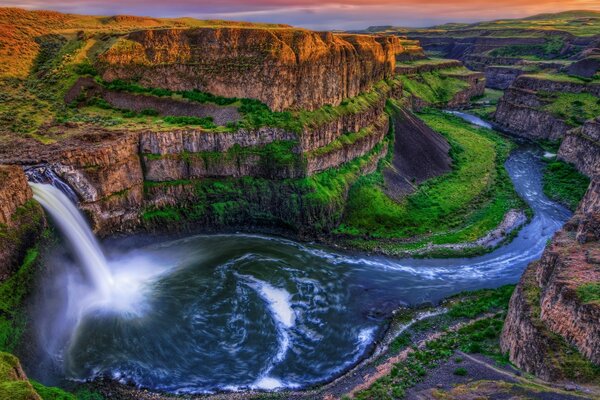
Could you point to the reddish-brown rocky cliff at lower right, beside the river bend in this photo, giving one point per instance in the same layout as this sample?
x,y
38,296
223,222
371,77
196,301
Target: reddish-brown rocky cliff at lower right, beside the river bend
x,y
549,311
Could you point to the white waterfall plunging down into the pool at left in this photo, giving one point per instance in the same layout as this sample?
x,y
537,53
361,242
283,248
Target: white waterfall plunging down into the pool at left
x,y
78,233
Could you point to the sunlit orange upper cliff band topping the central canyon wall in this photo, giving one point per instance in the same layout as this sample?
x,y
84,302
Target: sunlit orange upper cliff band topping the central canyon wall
x,y
284,68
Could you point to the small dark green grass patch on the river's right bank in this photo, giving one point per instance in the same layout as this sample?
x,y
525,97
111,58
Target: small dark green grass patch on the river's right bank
x,y
564,183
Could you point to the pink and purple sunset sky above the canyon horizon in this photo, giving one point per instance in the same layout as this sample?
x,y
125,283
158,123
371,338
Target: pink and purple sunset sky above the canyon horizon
x,y
318,14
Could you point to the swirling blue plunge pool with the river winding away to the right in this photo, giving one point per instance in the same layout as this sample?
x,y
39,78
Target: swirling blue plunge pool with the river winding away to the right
x,y
232,312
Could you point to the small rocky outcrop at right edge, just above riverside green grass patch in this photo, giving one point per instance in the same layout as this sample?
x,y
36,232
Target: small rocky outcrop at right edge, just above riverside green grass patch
x,y
581,147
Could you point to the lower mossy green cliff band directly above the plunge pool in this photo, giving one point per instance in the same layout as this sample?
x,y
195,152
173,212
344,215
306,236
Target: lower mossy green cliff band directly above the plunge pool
x,y
288,203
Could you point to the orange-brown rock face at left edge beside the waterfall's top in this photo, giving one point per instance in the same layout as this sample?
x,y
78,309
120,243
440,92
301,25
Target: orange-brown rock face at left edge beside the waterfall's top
x,y
21,220
